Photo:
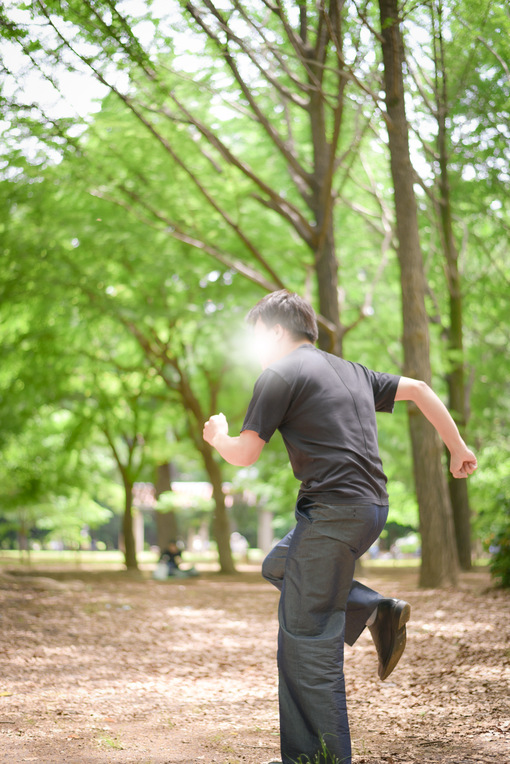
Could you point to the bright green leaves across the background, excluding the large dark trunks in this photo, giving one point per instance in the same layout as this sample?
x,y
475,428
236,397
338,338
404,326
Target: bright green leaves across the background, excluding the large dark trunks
x,y
115,264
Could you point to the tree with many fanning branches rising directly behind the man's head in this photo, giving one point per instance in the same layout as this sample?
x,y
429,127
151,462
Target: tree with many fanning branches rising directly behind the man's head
x,y
267,126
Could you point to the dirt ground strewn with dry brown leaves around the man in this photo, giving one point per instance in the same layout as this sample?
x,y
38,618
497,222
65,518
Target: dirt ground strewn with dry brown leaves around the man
x,y
106,668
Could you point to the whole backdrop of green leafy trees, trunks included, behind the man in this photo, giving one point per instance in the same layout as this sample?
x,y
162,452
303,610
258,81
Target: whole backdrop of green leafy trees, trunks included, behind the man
x,y
164,165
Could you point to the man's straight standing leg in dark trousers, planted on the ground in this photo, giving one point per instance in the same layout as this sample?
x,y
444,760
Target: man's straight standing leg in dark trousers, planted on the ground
x,y
318,576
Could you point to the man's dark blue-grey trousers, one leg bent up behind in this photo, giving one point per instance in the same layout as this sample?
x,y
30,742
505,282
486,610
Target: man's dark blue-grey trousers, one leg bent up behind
x,y
320,607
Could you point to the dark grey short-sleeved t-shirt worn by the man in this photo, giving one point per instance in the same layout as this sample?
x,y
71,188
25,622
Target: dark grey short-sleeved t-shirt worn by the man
x,y
325,409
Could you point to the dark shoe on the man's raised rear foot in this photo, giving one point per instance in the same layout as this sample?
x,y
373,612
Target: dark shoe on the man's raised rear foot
x,y
389,633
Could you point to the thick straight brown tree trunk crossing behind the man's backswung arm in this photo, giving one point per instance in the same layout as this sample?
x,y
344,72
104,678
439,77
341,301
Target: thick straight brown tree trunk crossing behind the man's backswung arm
x,y
439,554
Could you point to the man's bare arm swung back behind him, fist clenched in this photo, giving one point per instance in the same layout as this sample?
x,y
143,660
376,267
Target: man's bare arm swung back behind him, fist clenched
x,y
463,461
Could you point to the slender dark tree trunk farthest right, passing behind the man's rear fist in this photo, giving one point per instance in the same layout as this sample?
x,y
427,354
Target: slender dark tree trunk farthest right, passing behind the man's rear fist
x,y
456,377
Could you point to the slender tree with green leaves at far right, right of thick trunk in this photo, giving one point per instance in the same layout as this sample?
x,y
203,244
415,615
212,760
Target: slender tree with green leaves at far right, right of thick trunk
x,y
460,82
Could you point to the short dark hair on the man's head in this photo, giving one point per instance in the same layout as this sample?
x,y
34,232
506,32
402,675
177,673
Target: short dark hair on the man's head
x,y
289,310
